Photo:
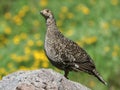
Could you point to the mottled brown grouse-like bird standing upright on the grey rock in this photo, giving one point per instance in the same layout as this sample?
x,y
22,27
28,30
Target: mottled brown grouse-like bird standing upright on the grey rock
x,y
64,53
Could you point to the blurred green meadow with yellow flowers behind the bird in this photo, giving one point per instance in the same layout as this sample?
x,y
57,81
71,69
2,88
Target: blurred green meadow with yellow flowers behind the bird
x,y
93,24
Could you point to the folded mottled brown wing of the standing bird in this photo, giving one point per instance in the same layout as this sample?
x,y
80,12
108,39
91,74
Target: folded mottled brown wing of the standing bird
x,y
73,55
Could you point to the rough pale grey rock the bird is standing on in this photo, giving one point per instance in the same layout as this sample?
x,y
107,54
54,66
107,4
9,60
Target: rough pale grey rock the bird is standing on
x,y
43,79
